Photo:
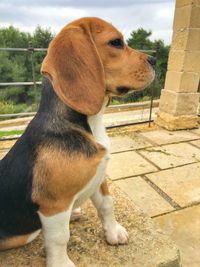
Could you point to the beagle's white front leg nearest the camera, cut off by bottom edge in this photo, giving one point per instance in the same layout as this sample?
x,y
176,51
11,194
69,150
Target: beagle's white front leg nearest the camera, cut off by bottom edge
x,y
56,235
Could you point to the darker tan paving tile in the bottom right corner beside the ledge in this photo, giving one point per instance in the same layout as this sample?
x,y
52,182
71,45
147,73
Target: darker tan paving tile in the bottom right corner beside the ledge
x,y
183,227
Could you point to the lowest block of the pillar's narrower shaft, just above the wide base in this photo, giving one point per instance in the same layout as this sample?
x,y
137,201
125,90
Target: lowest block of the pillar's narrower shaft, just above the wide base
x,y
186,82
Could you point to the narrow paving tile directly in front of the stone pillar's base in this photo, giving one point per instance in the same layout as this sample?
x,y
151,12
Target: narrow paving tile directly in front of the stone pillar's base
x,y
162,137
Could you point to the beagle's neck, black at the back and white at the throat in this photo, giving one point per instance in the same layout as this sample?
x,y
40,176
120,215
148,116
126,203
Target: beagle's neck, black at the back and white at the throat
x,y
57,116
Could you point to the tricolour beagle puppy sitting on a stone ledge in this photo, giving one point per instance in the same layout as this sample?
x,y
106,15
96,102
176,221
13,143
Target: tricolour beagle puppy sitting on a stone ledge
x,y
61,158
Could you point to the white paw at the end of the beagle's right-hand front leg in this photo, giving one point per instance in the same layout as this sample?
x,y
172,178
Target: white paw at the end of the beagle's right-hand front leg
x,y
116,234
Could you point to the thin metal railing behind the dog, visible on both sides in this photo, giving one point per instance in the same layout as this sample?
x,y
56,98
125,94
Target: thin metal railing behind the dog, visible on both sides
x,y
31,50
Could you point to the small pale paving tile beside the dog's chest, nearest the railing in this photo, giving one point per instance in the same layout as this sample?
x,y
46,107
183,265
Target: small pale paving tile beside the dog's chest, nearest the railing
x,y
125,143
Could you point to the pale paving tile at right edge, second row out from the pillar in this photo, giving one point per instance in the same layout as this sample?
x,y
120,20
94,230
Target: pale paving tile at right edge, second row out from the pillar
x,y
173,155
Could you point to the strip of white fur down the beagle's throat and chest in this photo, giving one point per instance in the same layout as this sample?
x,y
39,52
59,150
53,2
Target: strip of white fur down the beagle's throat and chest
x,y
99,132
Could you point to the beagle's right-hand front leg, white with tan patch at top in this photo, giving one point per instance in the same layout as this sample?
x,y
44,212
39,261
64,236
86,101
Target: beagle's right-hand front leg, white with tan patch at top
x,y
114,232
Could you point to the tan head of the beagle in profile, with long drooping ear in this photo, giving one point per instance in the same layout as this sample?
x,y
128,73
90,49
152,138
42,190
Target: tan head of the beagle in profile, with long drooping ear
x,y
89,59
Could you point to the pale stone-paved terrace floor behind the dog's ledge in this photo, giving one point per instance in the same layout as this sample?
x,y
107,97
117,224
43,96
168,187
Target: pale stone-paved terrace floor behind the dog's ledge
x,y
160,172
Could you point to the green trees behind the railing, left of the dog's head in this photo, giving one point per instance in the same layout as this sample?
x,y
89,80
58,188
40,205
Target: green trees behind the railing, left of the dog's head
x,y
16,67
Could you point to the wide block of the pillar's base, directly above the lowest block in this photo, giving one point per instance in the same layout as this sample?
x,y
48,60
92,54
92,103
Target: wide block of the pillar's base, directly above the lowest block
x,y
179,104
